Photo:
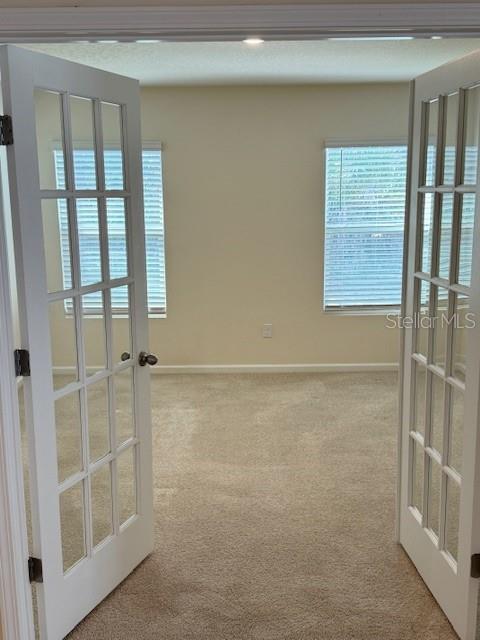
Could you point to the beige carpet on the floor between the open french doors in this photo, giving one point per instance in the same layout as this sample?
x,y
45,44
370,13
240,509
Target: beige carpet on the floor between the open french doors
x,y
274,500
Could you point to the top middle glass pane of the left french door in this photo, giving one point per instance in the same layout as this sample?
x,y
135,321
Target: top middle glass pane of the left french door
x,y
83,143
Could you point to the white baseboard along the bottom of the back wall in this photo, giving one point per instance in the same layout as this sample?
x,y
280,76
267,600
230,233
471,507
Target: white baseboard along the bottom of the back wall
x,y
261,368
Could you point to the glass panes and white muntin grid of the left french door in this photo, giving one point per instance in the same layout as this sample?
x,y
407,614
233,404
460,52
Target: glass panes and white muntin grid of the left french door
x,y
98,496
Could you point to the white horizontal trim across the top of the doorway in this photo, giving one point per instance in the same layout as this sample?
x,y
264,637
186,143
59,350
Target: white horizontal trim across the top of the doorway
x,y
284,22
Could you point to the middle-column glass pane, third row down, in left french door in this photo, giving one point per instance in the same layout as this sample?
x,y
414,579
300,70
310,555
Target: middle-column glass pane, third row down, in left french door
x,y
94,335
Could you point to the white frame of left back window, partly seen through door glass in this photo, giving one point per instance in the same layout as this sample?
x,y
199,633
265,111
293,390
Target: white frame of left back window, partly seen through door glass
x,y
157,313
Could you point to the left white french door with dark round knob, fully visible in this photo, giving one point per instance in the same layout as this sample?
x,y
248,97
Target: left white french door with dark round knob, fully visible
x,y
80,262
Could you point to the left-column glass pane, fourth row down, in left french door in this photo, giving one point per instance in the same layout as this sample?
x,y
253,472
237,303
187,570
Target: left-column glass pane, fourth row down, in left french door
x,y
69,435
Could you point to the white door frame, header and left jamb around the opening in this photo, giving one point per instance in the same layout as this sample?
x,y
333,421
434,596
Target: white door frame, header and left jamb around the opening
x,y
129,23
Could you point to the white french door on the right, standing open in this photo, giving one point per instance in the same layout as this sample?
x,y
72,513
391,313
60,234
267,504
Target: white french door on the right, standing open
x,y
440,474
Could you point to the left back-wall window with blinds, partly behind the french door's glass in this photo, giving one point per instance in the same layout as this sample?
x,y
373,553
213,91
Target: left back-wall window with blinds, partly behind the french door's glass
x,y
154,229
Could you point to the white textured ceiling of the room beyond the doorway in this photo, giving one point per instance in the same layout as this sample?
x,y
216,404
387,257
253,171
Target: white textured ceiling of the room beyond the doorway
x,y
175,63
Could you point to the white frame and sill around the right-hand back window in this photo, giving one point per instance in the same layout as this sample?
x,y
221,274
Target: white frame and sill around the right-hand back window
x,y
364,309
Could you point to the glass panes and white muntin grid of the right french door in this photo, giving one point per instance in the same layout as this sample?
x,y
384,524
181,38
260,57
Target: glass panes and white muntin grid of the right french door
x,y
435,441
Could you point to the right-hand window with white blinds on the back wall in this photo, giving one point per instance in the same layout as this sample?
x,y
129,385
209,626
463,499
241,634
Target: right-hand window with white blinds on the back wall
x,y
364,220
